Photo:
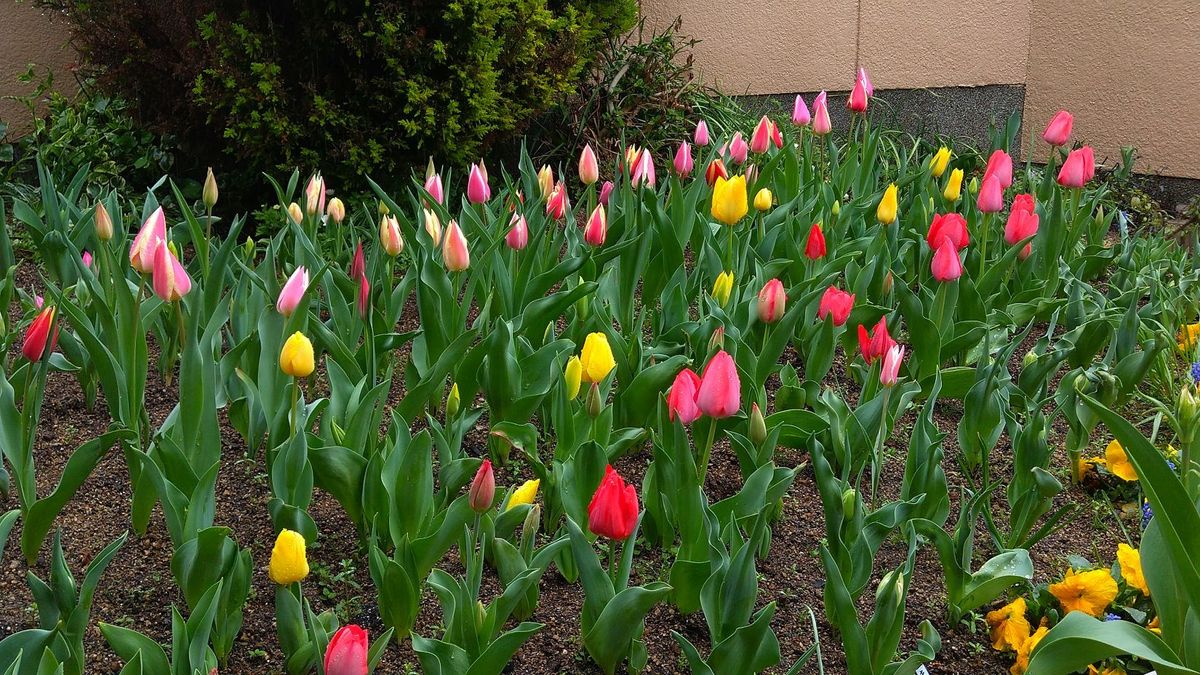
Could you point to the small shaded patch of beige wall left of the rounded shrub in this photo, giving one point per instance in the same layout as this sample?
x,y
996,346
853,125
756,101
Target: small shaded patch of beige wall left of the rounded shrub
x,y
28,37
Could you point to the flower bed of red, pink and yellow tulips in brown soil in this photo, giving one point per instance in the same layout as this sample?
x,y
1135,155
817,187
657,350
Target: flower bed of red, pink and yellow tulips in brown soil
x,y
793,401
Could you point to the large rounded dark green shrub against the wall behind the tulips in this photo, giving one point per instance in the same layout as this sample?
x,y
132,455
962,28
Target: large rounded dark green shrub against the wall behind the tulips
x,y
351,86
